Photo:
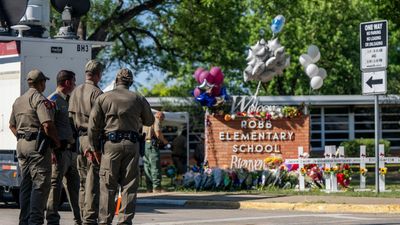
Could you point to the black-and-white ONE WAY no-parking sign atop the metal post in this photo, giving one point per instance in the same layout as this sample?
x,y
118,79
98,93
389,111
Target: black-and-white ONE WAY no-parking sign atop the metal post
x,y
373,45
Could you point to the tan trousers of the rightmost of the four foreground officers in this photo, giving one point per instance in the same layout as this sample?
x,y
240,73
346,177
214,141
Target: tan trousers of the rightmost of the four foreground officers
x,y
119,166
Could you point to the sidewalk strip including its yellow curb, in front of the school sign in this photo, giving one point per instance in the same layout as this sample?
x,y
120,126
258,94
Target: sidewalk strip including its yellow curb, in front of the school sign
x,y
309,203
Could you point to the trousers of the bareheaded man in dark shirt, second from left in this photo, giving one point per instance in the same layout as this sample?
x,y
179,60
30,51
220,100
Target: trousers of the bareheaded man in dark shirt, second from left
x,y
65,167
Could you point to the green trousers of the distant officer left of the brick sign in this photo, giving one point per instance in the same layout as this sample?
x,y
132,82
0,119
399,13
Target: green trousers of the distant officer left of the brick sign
x,y
152,167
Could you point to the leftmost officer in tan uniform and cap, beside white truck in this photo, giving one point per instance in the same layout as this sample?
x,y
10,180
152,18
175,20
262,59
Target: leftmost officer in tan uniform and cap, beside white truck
x,y
31,122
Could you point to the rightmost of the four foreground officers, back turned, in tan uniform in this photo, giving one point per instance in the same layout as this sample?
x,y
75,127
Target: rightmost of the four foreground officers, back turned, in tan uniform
x,y
118,116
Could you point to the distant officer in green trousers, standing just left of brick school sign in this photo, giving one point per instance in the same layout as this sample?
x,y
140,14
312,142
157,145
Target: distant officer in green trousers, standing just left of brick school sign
x,y
151,160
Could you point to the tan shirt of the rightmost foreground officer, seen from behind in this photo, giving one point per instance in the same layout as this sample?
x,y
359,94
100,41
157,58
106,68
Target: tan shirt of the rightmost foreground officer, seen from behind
x,y
118,110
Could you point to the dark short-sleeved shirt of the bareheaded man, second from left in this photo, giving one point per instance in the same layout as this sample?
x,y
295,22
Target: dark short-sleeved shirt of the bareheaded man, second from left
x,y
61,118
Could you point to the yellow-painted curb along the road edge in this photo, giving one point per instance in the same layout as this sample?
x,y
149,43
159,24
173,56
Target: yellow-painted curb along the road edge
x,y
305,207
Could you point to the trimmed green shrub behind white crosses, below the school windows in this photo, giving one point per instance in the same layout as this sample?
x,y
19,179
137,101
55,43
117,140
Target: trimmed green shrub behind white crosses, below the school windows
x,y
352,147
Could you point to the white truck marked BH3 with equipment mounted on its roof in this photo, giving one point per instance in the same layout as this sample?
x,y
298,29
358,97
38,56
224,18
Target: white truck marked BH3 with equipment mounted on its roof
x,y
19,55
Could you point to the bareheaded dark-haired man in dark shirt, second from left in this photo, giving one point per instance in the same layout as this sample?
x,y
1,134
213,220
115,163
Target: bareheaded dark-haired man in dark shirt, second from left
x,y
64,164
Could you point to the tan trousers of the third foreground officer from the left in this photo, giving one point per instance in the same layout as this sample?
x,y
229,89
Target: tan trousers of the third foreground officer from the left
x,y
89,185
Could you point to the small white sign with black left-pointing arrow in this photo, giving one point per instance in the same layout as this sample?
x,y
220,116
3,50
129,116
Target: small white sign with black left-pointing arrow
x,y
374,82
